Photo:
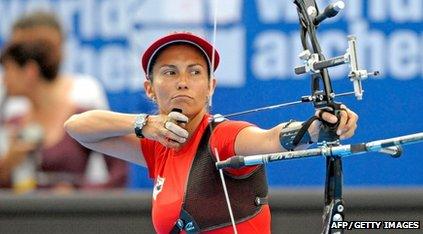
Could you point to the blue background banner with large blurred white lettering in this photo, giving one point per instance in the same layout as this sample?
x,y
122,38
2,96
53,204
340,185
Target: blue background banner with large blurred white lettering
x,y
259,45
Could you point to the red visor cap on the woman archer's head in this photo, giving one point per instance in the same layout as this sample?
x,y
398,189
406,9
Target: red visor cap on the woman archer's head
x,y
180,37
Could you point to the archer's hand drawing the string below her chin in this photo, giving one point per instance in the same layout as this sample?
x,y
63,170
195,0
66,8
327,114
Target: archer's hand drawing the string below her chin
x,y
167,129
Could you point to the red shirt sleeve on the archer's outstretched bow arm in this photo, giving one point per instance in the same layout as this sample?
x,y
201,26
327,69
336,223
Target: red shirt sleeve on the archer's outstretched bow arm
x,y
223,139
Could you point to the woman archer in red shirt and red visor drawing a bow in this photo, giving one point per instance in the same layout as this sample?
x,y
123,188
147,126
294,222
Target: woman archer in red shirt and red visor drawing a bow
x,y
179,145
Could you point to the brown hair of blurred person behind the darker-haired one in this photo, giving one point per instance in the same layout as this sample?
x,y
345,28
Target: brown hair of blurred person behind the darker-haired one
x,y
38,19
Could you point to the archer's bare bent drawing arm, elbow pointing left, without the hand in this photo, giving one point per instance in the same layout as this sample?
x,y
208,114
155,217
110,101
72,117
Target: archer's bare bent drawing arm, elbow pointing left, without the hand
x,y
107,132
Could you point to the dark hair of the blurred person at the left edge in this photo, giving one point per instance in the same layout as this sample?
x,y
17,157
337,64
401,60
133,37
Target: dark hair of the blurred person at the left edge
x,y
40,51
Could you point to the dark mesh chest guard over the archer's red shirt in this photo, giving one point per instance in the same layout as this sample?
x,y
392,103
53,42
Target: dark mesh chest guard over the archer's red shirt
x,y
205,207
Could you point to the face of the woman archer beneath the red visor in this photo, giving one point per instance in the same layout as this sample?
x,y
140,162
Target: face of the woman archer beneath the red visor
x,y
180,80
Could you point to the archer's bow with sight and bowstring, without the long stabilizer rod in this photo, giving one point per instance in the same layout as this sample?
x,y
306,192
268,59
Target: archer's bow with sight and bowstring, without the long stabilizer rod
x,y
316,64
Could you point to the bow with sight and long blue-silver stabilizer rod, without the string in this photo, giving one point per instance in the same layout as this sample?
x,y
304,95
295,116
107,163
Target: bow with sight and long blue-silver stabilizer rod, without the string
x,y
323,99
